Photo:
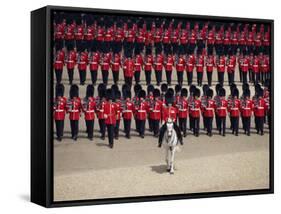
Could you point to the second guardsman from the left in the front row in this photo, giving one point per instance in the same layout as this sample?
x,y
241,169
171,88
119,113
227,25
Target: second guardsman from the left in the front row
x,y
74,109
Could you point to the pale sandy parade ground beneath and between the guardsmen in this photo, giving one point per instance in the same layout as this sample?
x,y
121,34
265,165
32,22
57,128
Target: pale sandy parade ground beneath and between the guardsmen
x,y
85,169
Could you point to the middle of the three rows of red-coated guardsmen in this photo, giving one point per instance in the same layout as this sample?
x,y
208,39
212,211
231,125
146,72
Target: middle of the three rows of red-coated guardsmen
x,y
256,69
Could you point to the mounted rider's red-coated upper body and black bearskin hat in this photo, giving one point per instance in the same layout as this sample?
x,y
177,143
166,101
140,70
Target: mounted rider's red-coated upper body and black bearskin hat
x,y
169,111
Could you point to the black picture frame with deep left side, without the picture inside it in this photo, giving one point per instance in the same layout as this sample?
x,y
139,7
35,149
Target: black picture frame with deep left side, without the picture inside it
x,y
41,109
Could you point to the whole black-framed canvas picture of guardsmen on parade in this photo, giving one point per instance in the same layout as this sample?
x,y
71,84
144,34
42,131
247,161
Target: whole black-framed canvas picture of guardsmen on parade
x,y
134,106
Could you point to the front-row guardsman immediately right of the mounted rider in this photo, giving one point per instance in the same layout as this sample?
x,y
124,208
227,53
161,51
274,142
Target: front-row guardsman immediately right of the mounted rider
x,y
183,111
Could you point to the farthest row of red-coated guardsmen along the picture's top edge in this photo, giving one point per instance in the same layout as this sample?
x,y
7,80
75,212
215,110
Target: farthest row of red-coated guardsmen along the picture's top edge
x,y
134,34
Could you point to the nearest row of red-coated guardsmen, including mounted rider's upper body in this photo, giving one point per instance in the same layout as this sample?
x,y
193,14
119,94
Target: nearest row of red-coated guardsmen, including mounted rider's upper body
x,y
157,106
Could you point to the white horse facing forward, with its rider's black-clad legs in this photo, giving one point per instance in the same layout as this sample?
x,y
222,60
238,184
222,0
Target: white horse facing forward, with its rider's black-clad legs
x,y
170,136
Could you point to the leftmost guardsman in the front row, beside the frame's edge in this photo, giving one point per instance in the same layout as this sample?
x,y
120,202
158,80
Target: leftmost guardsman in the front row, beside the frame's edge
x,y
59,110
